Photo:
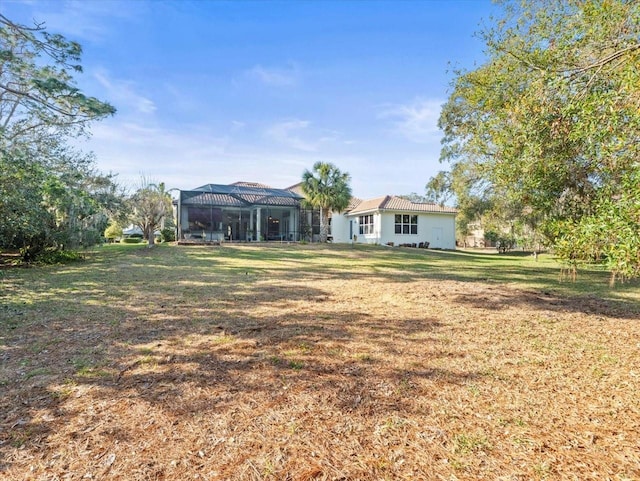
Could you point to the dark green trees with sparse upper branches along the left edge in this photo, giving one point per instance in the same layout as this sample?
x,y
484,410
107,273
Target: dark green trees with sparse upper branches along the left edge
x,y
50,195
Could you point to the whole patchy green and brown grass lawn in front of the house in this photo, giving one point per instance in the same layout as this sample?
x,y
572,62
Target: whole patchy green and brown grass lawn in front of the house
x,y
291,362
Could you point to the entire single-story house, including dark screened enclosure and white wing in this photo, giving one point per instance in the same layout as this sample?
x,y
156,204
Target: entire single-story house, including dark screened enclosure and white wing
x,y
247,211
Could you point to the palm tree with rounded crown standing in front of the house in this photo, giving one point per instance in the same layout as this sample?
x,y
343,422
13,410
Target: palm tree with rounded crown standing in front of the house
x,y
326,188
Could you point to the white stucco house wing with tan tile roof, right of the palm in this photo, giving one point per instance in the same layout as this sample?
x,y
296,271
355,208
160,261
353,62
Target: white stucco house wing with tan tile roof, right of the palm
x,y
396,221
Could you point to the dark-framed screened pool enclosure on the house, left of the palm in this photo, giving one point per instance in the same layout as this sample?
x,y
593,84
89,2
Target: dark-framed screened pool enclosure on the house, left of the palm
x,y
239,212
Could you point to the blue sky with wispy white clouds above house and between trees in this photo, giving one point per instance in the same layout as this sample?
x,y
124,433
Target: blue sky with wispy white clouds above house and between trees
x,y
221,91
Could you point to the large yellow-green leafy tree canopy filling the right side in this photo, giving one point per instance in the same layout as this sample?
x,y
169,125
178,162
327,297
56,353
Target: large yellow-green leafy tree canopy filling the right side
x,y
550,124
